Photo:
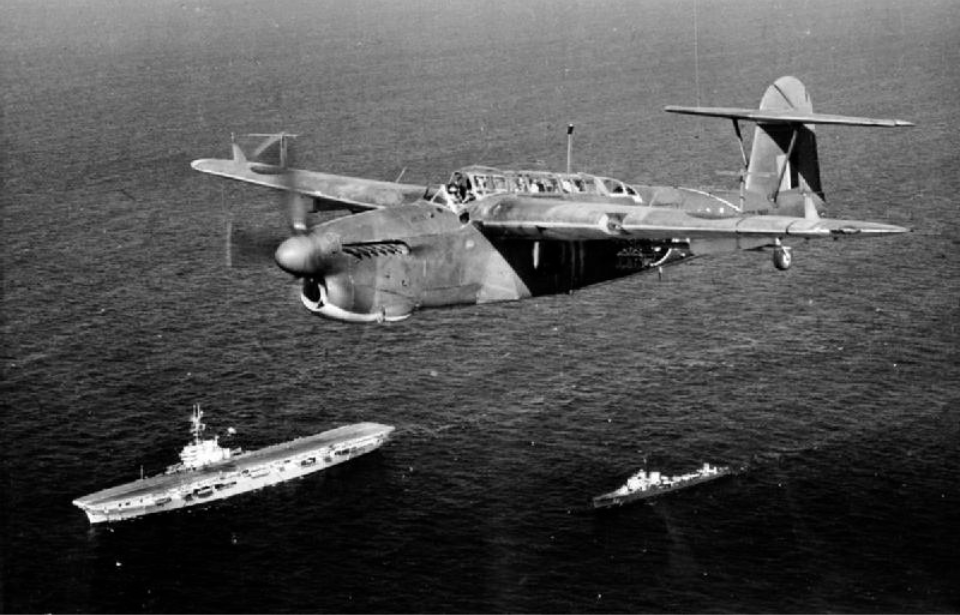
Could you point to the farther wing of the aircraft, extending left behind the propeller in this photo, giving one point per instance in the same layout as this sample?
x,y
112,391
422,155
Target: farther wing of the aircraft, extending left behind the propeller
x,y
328,191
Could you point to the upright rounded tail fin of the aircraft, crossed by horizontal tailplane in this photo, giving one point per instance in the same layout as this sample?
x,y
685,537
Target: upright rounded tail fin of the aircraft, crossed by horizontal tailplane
x,y
784,155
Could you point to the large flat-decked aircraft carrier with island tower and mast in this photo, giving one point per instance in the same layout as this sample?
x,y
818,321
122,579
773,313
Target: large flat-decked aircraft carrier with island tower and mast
x,y
208,471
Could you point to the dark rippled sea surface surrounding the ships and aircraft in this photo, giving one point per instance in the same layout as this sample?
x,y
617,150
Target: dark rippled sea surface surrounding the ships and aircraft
x,y
835,385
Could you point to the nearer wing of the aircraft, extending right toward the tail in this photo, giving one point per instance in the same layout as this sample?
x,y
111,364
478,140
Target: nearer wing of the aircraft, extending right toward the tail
x,y
537,218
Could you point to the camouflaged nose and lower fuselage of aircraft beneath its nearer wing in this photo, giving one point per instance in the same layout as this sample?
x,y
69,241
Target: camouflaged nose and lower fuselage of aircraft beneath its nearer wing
x,y
385,264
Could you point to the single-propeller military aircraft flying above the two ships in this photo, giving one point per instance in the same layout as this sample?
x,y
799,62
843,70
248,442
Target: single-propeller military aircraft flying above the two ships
x,y
493,235
